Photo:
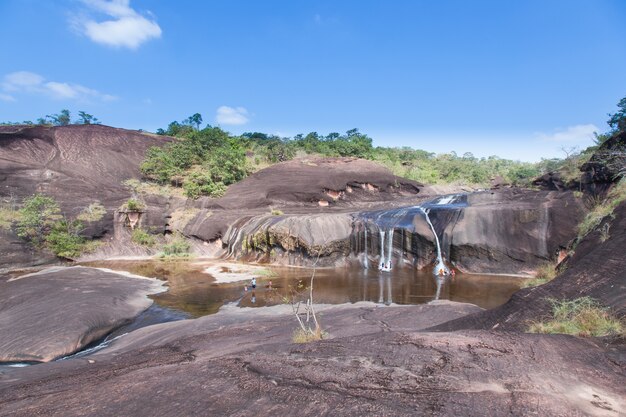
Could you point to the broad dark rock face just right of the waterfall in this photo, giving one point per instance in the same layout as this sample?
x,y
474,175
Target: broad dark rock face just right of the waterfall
x,y
512,231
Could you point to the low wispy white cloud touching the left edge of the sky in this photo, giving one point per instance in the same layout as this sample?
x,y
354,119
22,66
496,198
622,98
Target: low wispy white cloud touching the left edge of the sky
x,y
29,82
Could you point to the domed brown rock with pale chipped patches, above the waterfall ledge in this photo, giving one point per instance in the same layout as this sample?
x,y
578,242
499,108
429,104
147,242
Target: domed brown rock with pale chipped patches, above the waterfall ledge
x,y
301,186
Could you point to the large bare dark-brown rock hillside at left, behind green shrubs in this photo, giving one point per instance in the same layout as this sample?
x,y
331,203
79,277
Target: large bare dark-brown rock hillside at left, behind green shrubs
x,y
77,165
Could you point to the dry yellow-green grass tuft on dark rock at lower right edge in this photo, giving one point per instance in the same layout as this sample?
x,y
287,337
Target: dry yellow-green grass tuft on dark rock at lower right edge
x,y
580,317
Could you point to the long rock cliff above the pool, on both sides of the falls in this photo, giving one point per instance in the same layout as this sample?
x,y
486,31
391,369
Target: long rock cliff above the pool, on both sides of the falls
x,y
506,231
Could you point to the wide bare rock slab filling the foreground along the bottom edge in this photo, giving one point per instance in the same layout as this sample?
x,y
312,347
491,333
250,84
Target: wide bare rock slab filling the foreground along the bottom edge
x,y
378,361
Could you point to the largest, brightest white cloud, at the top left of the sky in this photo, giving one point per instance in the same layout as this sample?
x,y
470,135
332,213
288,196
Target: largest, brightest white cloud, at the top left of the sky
x,y
127,28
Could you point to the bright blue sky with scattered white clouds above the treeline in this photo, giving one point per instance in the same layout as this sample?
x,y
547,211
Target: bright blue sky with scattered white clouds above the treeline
x,y
517,79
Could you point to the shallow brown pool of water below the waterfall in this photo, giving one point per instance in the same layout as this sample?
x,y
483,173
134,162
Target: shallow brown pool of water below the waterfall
x,y
195,292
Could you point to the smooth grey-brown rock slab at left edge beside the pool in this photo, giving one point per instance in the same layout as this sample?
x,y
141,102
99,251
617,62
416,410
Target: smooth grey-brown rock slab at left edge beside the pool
x,y
58,311
